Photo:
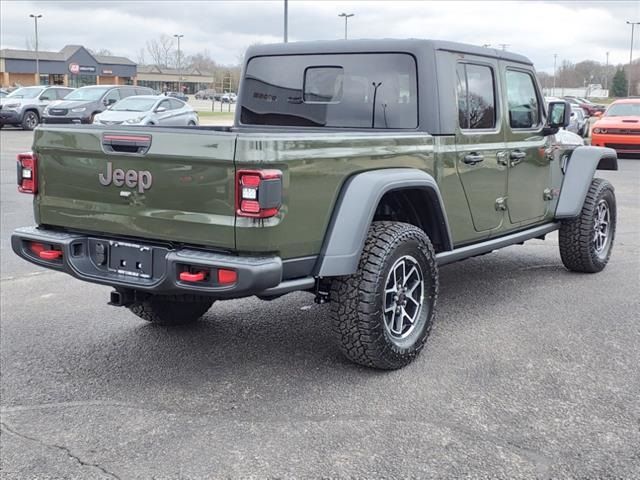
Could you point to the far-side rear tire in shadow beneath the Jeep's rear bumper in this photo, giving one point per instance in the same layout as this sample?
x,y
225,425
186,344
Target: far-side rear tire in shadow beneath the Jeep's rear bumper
x,y
171,309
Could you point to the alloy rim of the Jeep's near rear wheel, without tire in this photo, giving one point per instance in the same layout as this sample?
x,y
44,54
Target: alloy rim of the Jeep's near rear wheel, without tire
x,y
403,297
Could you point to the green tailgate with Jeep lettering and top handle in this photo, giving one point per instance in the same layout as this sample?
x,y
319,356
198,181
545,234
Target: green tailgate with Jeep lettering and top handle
x,y
155,183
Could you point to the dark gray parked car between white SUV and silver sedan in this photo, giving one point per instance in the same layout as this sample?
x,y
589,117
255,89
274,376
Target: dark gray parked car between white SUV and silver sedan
x,y
83,104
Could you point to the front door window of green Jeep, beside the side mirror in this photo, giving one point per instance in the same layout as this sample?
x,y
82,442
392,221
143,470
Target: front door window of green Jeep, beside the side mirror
x,y
522,100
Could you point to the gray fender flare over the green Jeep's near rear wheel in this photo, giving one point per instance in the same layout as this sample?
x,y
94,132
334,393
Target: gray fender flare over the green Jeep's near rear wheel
x,y
354,211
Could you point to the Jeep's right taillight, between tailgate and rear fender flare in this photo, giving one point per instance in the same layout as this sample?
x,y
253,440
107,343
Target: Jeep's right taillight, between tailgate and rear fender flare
x,y
258,193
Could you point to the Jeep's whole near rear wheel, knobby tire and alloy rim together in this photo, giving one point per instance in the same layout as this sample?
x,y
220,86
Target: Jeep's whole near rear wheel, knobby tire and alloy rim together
x,y
382,314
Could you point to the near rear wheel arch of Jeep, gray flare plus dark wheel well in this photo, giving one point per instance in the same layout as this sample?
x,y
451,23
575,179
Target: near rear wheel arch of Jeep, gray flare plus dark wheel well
x,y
389,194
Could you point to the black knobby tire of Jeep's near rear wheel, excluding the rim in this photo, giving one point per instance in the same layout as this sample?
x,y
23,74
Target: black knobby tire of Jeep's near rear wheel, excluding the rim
x,y
357,301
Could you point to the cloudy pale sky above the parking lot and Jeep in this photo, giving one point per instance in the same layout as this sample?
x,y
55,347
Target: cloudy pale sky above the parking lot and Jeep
x,y
575,30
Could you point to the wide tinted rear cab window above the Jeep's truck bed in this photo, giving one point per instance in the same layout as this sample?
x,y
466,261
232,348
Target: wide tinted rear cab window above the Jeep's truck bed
x,y
360,90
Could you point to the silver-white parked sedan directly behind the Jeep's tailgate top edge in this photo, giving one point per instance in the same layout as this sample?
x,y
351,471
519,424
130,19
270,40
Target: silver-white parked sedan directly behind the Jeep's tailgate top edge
x,y
148,110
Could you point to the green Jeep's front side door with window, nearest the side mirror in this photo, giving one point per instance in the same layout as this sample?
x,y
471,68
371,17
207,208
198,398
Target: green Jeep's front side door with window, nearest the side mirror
x,y
529,172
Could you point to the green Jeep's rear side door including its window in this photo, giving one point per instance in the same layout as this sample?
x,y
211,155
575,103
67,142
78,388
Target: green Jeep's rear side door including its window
x,y
480,146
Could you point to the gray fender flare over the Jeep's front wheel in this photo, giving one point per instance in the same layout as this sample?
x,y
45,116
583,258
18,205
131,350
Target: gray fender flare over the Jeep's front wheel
x,y
578,174
